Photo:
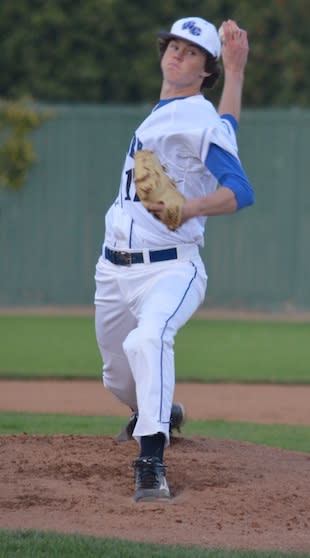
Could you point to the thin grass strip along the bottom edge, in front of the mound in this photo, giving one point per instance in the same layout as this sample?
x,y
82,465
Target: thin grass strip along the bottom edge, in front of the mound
x,y
33,544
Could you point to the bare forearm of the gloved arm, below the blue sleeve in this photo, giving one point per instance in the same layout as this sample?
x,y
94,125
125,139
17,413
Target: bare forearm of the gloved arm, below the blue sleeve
x,y
220,202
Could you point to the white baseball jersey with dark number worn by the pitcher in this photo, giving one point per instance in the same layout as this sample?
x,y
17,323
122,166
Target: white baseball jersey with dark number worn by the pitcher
x,y
180,133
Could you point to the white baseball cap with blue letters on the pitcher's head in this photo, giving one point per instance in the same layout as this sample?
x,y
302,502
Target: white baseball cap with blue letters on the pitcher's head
x,y
196,30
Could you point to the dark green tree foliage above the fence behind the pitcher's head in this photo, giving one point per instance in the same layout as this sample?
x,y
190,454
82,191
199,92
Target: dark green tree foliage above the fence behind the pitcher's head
x,y
105,50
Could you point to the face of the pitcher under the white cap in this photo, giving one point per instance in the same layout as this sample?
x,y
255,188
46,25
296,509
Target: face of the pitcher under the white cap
x,y
183,64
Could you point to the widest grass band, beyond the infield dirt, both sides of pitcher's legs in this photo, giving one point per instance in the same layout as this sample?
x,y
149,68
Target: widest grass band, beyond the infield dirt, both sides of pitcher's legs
x,y
206,350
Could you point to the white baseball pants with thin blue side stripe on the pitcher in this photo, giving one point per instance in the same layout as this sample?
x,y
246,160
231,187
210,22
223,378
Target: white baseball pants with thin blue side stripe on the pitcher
x,y
139,309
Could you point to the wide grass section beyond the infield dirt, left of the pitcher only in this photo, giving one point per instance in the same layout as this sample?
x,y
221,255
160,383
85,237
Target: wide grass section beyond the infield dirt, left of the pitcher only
x,y
43,346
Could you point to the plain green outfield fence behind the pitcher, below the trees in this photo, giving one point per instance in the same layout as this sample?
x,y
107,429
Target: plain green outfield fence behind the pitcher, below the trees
x,y
51,231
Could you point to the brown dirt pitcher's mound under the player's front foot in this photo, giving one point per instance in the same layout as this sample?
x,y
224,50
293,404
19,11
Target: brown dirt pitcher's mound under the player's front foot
x,y
225,493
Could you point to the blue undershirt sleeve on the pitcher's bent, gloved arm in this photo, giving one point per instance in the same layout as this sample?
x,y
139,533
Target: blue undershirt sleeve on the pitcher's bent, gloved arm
x,y
228,171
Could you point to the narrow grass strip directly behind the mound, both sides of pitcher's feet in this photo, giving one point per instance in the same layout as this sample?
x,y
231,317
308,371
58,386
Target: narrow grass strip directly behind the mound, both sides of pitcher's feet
x,y
294,438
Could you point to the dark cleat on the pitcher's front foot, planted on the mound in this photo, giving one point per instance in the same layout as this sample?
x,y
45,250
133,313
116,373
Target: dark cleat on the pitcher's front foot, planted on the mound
x,y
151,483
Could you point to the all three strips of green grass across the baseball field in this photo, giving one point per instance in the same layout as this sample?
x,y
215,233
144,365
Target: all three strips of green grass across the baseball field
x,y
224,351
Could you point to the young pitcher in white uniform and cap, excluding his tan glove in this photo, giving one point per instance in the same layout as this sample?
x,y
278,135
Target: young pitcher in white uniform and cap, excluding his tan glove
x,y
150,280
